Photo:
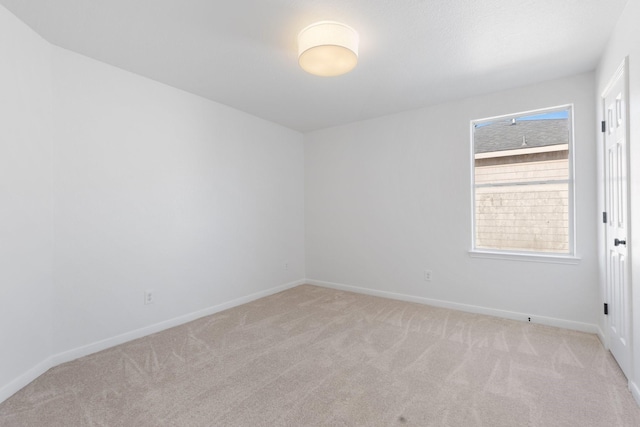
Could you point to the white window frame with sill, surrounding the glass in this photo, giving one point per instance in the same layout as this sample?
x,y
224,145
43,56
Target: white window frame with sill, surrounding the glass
x,y
534,256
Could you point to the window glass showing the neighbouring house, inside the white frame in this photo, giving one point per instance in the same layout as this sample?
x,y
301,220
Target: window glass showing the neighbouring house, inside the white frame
x,y
523,183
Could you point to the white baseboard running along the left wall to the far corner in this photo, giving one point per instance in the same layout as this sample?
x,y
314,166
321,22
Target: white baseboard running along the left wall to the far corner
x,y
25,378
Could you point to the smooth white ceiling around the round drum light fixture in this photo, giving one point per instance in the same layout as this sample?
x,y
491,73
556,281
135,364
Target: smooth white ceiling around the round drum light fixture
x,y
413,53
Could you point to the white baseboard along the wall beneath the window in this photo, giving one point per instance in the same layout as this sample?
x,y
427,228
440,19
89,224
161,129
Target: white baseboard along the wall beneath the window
x,y
542,320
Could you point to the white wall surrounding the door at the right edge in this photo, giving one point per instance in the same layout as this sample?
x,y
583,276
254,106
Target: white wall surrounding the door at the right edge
x,y
625,42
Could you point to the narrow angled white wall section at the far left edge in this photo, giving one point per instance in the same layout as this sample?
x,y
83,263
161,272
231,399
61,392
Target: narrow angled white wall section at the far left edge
x,y
25,201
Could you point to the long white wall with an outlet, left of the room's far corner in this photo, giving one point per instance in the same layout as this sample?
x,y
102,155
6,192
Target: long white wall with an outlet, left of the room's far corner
x,y
159,189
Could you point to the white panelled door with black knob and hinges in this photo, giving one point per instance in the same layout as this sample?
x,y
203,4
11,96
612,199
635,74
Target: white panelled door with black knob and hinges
x,y
617,244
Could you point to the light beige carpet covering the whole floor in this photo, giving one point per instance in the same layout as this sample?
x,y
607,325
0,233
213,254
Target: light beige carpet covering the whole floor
x,y
311,356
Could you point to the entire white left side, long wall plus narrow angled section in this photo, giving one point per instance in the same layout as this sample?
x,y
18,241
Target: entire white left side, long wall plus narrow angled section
x,y
113,184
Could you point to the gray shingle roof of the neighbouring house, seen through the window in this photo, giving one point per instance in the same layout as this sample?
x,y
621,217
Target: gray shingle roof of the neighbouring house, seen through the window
x,y
503,135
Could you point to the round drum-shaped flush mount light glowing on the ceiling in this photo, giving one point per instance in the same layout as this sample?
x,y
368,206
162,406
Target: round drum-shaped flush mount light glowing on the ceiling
x,y
328,48
